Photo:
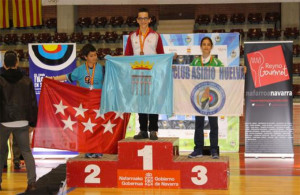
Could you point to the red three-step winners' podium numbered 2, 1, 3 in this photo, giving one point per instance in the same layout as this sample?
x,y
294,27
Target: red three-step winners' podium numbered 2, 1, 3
x,y
148,164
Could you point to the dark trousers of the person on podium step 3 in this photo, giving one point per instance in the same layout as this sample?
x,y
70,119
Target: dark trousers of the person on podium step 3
x,y
199,133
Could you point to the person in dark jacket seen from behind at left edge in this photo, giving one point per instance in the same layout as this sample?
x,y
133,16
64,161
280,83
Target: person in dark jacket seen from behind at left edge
x,y
18,113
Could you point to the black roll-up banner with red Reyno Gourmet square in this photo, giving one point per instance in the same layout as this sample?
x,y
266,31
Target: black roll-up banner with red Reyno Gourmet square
x,y
269,99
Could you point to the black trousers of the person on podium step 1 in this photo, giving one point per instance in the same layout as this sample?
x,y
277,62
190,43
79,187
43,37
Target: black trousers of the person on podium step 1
x,y
152,118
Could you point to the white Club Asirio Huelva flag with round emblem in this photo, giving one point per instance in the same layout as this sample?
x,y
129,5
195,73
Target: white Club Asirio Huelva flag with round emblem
x,y
224,86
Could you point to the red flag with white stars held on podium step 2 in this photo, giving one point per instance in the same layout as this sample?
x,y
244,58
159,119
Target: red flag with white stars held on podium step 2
x,y
69,119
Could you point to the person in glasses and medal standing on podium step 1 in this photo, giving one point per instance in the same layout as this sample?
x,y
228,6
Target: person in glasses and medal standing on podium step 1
x,y
145,41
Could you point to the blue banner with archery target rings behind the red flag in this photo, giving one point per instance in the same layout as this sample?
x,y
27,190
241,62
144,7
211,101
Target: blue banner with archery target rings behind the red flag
x,y
49,59
